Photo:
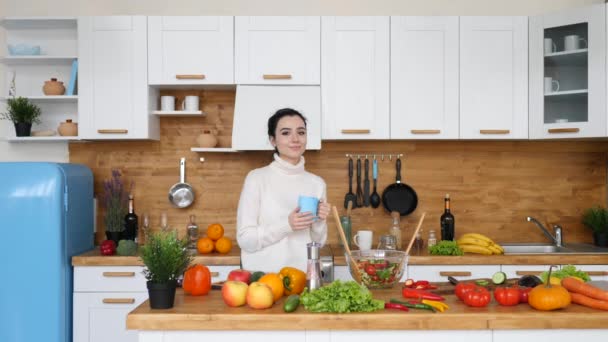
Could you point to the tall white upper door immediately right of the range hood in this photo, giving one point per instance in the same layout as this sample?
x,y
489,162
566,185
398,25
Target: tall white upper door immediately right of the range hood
x,y
355,77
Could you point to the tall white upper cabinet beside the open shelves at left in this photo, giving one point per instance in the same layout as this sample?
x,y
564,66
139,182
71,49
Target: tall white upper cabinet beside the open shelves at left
x,y
114,99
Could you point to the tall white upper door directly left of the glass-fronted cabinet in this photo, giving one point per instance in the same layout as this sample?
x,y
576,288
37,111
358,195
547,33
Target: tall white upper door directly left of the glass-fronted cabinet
x,y
493,77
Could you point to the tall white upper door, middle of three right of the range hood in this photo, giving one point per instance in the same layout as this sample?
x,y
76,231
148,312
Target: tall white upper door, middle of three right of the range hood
x,y
424,78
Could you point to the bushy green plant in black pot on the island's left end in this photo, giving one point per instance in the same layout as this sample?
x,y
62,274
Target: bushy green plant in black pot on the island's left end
x,y
166,258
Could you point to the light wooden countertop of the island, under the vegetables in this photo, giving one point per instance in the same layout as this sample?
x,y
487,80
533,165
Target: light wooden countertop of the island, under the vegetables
x,y
210,313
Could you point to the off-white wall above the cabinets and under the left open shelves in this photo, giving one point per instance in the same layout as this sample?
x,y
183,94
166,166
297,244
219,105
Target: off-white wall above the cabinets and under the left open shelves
x,y
59,152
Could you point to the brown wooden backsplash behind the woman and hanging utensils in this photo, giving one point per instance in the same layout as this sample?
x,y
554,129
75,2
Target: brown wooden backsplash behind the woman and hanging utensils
x,y
494,185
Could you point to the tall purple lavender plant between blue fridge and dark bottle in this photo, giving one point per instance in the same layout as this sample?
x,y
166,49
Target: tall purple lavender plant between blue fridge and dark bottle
x,y
115,203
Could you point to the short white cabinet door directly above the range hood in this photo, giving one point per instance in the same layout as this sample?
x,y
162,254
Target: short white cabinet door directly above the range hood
x,y
277,50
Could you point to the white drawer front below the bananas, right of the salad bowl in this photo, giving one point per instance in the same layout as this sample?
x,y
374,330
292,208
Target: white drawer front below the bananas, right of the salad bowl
x,y
441,272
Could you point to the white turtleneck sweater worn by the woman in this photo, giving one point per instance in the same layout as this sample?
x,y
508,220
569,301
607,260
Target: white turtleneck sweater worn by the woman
x,y
269,194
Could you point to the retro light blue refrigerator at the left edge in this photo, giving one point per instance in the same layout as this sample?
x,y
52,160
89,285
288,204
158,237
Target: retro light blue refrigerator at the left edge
x,y
46,217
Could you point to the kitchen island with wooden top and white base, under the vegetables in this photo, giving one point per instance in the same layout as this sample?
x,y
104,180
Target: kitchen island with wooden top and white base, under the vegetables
x,y
198,318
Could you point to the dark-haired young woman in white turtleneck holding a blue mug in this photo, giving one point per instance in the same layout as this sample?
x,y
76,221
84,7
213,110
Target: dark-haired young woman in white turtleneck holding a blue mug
x,y
271,230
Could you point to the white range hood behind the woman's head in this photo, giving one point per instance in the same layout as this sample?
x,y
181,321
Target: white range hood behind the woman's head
x,y
255,104
